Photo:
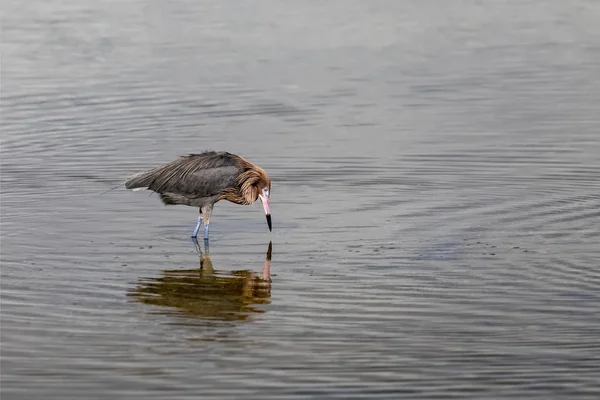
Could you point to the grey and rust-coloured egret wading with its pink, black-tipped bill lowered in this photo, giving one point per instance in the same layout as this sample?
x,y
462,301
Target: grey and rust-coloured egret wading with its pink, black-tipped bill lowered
x,y
202,179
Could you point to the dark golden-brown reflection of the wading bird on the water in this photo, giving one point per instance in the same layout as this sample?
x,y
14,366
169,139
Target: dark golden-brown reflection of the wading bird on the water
x,y
209,293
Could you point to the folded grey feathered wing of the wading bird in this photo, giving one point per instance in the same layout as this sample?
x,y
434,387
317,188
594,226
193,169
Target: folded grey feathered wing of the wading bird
x,y
199,175
